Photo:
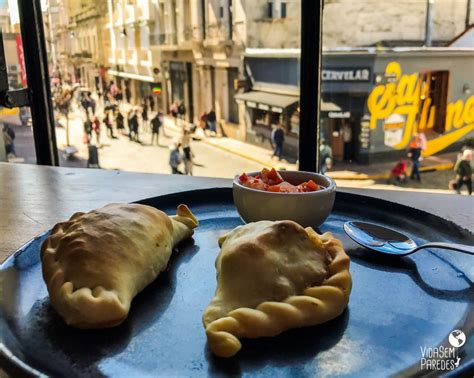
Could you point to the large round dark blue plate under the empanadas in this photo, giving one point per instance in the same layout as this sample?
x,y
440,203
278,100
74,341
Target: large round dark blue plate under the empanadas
x,y
398,306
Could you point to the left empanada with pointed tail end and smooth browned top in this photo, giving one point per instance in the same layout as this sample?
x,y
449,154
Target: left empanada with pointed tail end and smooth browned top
x,y
97,262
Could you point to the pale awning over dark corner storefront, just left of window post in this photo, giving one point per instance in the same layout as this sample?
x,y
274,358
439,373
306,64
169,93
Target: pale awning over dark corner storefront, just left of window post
x,y
266,101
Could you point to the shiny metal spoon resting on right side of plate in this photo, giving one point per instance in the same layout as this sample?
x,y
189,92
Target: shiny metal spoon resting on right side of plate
x,y
386,240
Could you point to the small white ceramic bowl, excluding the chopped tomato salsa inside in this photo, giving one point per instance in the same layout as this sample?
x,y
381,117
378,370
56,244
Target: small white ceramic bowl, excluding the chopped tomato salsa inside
x,y
307,209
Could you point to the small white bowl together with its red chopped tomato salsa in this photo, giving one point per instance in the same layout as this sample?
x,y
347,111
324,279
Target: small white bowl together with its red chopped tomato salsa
x,y
304,197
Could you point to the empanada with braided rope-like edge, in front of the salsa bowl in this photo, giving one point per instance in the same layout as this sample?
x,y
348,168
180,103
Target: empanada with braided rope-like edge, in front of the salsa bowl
x,y
271,277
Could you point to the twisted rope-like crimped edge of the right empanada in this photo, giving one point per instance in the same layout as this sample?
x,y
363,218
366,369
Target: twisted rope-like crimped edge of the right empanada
x,y
317,305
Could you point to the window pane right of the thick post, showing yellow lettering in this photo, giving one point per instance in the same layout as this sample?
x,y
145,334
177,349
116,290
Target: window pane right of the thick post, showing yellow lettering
x,y
394,83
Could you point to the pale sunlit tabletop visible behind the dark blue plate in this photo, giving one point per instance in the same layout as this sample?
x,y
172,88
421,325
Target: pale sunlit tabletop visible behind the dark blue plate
x,y
34,198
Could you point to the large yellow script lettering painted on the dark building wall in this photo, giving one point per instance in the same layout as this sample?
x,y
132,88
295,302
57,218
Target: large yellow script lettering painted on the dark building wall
x,y
407,96
